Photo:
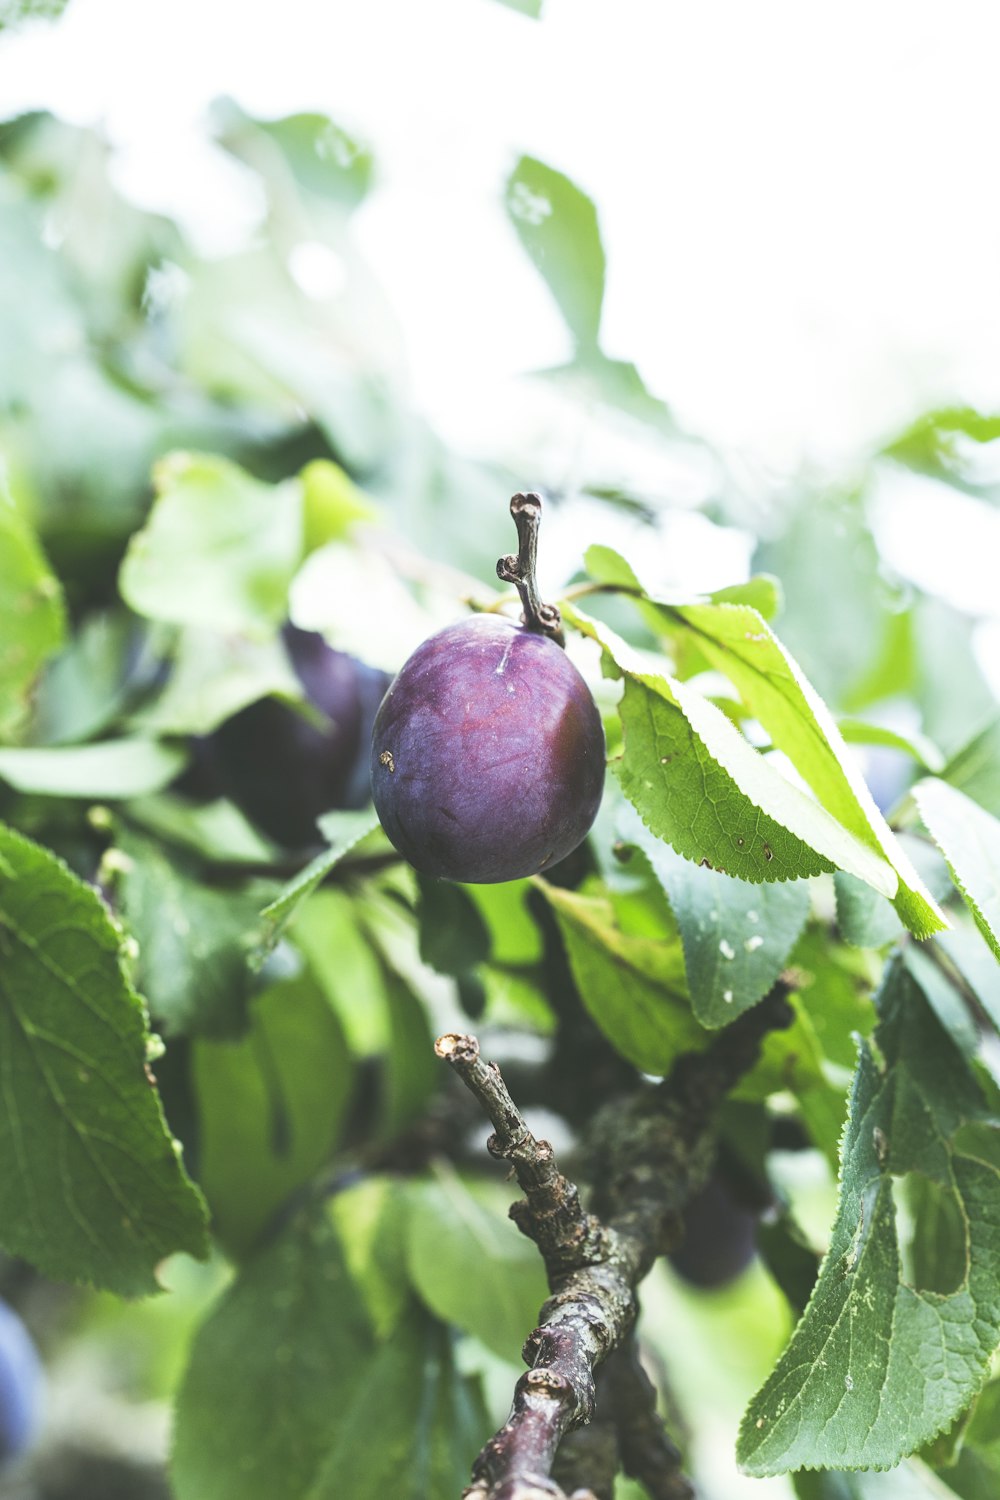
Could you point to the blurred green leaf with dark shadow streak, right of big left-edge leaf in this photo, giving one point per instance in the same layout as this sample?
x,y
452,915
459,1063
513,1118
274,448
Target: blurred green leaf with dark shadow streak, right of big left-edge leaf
x,y
271,1106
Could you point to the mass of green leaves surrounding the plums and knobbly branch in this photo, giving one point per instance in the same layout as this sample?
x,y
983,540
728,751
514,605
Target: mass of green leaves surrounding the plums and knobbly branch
x,y
272,1091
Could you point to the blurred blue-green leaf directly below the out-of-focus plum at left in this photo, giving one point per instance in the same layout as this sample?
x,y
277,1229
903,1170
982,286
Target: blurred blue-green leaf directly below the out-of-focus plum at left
x,y
193,940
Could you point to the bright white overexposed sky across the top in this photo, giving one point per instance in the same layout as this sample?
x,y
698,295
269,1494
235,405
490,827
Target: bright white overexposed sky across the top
x,y
798,202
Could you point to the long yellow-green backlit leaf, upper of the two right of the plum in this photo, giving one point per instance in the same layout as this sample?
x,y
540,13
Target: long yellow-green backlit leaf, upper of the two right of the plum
x,y
737,641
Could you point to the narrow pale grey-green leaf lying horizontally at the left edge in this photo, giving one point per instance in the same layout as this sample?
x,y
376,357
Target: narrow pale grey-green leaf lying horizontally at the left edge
x,y
112,770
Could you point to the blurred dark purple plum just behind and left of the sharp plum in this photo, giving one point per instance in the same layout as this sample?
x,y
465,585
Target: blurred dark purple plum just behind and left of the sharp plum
x,y
283,770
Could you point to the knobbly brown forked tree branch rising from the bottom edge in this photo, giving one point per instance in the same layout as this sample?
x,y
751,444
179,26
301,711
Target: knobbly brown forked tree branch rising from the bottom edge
x,y
651,1153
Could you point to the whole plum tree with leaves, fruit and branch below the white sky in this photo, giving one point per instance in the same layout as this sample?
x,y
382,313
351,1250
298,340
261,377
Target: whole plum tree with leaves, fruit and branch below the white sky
x,y
755,1007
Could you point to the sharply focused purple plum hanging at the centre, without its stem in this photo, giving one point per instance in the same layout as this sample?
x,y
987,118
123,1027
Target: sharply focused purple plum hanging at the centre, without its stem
x,y
488,754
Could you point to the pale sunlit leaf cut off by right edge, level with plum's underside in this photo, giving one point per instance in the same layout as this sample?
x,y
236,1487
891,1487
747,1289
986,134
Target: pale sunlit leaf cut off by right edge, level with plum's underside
x,y
969,839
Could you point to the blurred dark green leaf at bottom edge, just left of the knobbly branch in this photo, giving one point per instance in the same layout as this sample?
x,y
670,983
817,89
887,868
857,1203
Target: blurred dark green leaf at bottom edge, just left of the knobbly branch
x,y
412,1427
